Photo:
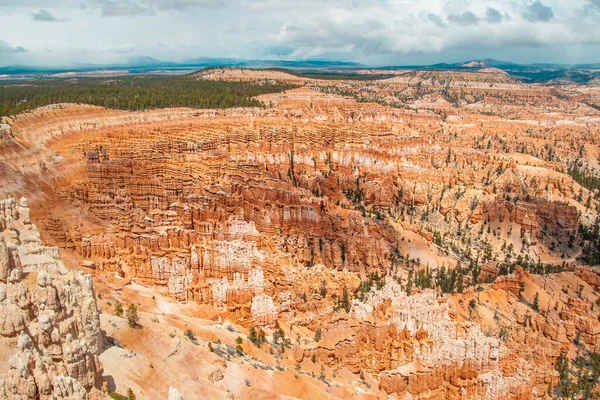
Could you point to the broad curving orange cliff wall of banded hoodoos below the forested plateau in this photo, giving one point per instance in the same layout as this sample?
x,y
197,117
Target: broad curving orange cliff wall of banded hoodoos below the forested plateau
x,y
182,204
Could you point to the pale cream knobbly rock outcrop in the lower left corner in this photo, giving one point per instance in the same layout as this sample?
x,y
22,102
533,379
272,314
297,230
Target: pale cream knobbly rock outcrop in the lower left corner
x,y
49,321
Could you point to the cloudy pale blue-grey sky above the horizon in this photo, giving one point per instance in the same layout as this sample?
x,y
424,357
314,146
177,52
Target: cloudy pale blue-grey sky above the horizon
x,y
372,32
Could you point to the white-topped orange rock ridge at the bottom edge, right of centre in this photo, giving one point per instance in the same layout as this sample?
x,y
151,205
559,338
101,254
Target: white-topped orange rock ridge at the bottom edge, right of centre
x,y
416,347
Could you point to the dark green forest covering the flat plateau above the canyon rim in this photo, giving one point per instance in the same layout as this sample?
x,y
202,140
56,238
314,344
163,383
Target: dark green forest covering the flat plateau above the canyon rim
x,y
133,93
